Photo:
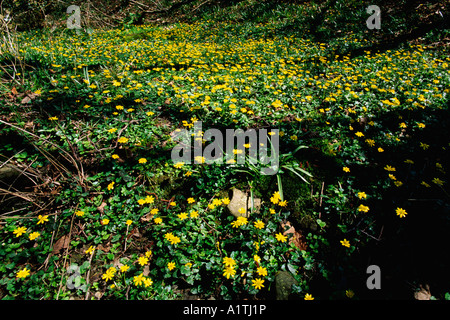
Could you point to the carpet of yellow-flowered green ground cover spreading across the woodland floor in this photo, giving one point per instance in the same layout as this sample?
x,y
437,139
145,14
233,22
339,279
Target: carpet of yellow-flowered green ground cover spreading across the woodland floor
x,y
93,207
